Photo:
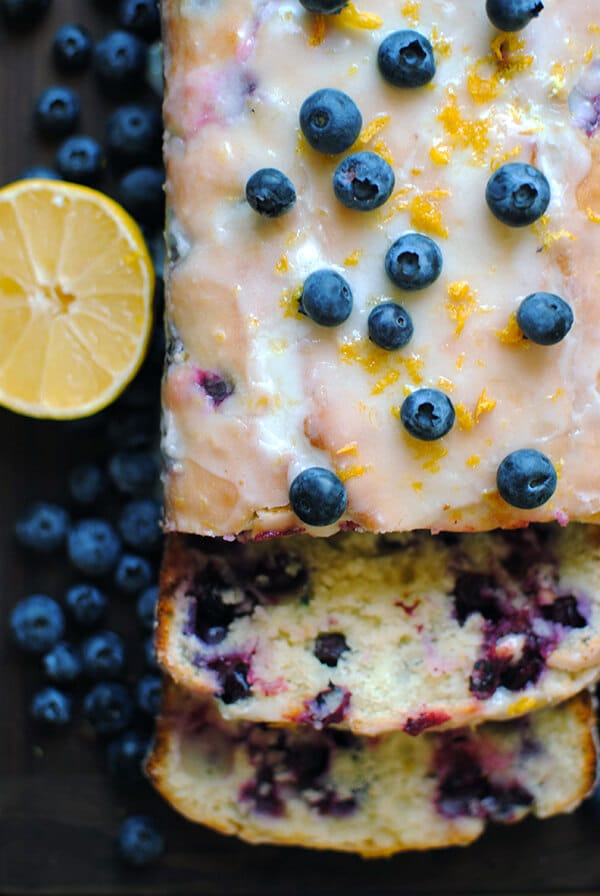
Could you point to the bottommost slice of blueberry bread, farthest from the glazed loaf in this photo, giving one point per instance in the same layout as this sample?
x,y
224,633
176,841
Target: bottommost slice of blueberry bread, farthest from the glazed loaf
x,y
332,790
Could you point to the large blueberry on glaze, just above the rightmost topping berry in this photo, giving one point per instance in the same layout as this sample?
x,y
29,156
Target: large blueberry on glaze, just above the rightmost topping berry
x,y
517,194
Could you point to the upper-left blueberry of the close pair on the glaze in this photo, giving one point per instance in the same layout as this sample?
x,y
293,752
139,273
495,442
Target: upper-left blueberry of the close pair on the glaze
x,y
330,121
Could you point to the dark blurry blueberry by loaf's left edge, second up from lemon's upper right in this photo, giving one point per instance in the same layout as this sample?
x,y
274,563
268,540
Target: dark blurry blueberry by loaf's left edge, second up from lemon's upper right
x,y
133,136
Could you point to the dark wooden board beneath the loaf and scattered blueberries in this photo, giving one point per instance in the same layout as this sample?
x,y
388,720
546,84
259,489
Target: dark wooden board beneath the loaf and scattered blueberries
x,y
58,812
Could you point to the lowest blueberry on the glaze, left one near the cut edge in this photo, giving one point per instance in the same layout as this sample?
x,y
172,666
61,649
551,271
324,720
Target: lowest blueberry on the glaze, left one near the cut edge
x,y
318,497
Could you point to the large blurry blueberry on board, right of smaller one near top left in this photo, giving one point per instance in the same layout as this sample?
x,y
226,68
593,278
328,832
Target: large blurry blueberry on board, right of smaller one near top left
x,y
120,63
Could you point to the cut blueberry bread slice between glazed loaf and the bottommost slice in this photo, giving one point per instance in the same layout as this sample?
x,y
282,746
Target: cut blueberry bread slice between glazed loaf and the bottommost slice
x,y
378,634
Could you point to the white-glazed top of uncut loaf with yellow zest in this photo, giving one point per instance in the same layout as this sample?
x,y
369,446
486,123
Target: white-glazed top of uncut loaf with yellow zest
x,y
256,391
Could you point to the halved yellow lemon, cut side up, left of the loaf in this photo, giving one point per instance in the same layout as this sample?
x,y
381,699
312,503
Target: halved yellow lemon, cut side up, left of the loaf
x,y
76,289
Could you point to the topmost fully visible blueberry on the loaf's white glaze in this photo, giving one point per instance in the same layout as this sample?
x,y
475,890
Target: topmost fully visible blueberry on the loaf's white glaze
x,y
405,59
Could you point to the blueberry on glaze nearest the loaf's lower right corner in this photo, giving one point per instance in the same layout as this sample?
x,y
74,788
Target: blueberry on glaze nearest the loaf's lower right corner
x,y
526,478
